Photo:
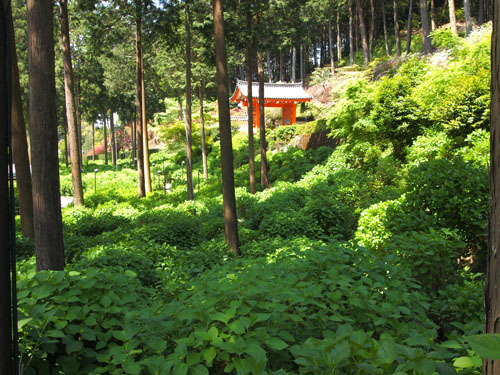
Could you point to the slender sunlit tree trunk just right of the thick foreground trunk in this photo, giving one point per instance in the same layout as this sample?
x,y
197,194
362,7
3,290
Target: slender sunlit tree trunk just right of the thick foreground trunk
x,y
69,92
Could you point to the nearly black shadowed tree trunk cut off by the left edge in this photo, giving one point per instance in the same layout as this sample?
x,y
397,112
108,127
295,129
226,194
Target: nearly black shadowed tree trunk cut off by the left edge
x,y
6,345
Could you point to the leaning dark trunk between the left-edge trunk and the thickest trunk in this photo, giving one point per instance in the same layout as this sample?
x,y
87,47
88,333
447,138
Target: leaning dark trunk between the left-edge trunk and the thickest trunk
x,y
20,146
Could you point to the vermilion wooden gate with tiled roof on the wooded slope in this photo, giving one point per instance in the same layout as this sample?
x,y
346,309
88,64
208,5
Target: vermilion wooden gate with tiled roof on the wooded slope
x,y
281,95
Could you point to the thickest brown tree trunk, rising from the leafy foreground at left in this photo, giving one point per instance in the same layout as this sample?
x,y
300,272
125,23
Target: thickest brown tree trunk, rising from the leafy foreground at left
x,y
49,247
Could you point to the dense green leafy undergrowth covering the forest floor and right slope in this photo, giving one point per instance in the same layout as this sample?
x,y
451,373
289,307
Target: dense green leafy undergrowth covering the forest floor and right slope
x,y
367,259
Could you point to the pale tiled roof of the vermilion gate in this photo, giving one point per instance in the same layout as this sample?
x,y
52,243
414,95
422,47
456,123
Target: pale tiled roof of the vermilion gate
x,y
273,90
